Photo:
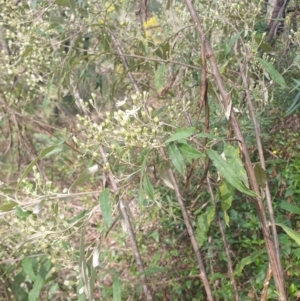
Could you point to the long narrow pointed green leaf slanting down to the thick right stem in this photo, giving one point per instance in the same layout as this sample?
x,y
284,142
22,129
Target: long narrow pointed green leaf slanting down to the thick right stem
x,y
228,173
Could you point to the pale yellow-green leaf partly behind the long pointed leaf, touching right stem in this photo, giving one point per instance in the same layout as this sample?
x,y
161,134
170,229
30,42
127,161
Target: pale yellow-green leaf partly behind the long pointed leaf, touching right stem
x,y
232,155
